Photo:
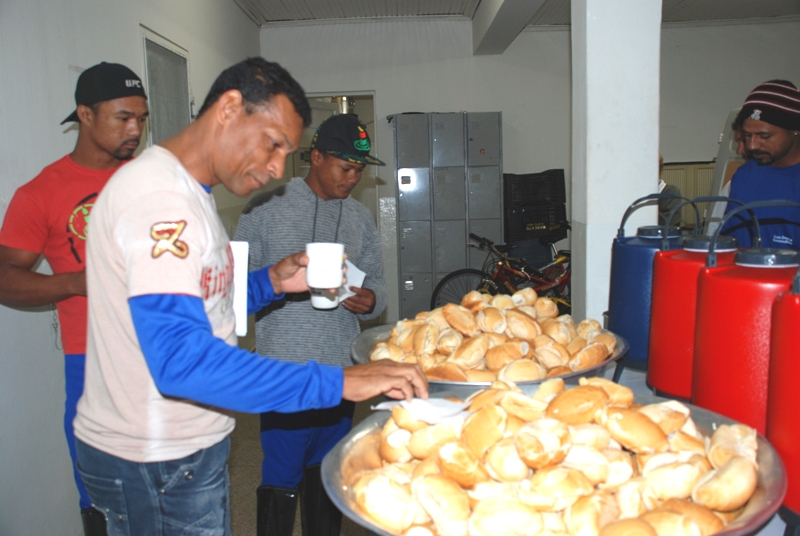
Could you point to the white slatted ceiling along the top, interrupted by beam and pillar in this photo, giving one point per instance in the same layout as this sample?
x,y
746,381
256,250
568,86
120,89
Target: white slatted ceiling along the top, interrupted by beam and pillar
x,y
551,12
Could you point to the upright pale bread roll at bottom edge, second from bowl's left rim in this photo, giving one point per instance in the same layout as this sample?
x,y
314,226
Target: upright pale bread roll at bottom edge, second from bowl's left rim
x,y
445,502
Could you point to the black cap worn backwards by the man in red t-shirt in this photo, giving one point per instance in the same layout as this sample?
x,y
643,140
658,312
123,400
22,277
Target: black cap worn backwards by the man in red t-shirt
x,y
105,81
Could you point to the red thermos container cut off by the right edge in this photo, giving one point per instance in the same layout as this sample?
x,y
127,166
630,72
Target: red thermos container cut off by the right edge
x,y
783,402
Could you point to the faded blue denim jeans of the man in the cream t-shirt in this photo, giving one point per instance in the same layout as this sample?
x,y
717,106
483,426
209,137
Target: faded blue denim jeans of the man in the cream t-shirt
x,y
187,497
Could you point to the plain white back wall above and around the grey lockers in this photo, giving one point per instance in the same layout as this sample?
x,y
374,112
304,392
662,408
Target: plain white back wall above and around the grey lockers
x,y
428,66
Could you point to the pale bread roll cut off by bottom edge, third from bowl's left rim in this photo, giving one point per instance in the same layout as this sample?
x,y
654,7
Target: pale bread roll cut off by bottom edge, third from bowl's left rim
x,y
504,516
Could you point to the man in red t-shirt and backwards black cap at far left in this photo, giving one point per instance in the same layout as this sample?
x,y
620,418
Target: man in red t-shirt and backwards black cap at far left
x,y
49,215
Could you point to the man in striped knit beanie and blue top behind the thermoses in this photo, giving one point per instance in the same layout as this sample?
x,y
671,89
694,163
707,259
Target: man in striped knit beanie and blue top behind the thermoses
x,y
770,129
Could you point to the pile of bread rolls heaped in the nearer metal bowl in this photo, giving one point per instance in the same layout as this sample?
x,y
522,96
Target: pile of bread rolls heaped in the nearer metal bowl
x,y
584,461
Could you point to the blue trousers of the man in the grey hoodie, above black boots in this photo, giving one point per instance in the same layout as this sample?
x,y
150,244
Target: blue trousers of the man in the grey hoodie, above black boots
x,y
293,441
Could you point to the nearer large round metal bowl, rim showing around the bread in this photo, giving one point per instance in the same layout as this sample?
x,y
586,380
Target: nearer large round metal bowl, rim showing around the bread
x,y
358,452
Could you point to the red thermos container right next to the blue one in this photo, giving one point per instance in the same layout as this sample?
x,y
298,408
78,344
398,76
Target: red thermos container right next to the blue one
x,y
673,314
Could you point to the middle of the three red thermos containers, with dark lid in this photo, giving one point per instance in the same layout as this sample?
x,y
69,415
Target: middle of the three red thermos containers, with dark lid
x,y
732,339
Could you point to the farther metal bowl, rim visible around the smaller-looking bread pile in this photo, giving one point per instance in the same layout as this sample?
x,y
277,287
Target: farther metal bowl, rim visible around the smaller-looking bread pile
x,y
367,339
